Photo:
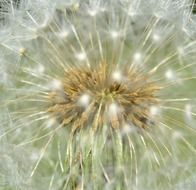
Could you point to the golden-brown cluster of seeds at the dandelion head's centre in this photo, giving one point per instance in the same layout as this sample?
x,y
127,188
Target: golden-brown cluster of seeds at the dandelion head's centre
x,y
97,95
